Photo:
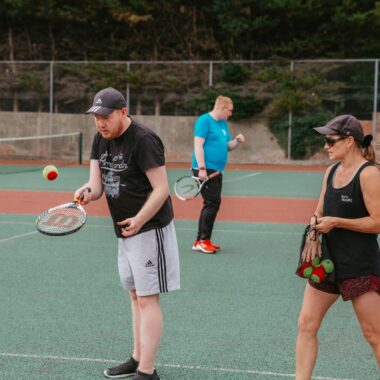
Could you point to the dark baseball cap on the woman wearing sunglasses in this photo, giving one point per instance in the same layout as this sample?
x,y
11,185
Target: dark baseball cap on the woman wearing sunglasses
x,y
344,125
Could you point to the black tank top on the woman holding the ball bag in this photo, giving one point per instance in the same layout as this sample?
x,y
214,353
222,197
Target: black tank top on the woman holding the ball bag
x,y
354,254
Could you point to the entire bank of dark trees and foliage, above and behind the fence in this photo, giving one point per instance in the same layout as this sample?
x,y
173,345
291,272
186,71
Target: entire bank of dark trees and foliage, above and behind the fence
x,y
218,30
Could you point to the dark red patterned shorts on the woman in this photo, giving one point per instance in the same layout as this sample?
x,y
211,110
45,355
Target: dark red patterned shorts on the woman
x,y
351,288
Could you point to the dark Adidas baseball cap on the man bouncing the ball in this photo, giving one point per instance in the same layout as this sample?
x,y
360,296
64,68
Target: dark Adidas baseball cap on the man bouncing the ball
x,y
106,101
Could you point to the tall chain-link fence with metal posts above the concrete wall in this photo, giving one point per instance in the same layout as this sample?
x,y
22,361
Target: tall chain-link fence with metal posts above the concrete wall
x,y
281,92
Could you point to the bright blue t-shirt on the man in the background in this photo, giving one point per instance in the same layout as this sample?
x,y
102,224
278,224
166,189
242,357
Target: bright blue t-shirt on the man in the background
x,y
216,135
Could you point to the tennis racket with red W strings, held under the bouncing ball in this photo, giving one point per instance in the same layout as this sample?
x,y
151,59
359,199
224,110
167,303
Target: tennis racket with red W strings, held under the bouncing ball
x,y
62,220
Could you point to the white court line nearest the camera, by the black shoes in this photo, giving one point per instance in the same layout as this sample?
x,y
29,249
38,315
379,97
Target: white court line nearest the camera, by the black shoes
x,y
180,366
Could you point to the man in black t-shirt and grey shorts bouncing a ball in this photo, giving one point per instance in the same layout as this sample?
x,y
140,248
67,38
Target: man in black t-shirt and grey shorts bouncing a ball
x,y
128,166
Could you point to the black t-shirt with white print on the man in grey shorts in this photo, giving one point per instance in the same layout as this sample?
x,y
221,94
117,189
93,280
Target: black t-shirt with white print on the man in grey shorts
x,y
123,163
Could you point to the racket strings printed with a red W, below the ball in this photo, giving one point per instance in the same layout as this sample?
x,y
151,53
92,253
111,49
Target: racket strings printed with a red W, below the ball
x,y
61,220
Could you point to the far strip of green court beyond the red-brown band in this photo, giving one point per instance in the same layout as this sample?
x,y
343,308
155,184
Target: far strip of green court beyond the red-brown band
x,y
288,184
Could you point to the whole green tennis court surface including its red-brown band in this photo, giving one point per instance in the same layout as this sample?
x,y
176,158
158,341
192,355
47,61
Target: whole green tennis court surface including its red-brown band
x,y
64,314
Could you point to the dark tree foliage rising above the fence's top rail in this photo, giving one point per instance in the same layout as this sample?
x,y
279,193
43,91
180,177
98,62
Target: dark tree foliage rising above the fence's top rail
x,y
179,30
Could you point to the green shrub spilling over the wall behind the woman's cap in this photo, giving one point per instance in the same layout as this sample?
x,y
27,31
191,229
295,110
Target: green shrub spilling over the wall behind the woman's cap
x,y
313,97
